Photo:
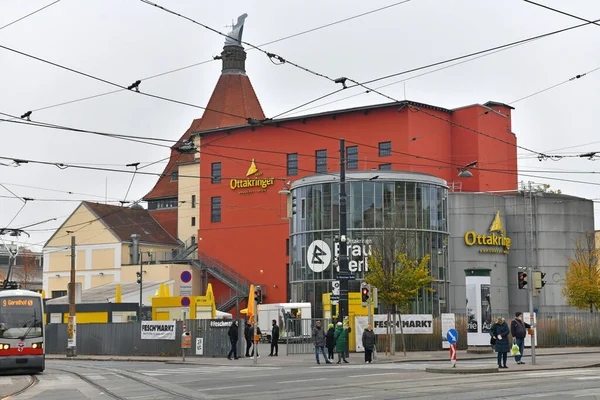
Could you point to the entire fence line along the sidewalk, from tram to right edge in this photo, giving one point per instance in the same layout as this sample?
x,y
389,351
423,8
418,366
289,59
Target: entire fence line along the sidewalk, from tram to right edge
x,y
553,330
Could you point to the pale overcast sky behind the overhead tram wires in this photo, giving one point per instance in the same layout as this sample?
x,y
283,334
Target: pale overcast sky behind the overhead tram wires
x,y
125,40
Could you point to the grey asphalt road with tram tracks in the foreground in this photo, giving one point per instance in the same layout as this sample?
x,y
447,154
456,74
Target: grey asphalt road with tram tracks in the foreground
x,y
144,380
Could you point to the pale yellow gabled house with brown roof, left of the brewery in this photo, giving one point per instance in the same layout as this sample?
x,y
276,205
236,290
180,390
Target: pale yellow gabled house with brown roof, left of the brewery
x,y
104,250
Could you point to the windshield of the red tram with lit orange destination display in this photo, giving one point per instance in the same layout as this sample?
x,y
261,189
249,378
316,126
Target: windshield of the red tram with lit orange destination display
x,y
20,317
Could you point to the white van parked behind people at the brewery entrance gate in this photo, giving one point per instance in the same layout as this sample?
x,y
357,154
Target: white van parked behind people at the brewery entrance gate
x,y
286,315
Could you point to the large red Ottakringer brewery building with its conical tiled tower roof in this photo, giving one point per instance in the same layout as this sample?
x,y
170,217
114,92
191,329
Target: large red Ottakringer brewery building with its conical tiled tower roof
x,y
245,160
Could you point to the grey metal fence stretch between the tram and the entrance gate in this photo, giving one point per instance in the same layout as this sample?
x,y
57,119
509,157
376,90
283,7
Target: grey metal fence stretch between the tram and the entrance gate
x,y
124,339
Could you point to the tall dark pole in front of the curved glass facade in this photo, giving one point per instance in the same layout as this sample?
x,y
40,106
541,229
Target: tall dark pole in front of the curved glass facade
x,y
343,232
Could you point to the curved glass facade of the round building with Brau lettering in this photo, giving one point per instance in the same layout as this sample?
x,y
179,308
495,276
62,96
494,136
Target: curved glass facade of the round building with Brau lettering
x,y
414,205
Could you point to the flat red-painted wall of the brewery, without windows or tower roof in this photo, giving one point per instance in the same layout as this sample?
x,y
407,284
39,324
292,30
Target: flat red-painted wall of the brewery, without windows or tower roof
x,y
251,236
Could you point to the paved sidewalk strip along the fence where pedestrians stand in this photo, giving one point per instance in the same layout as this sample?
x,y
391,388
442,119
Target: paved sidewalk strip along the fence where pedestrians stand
x,y
309,359
